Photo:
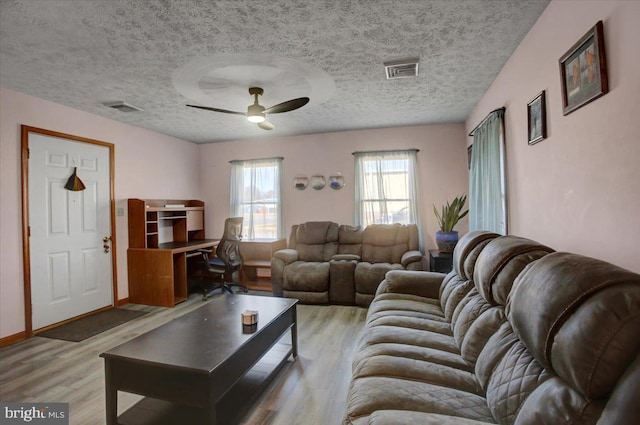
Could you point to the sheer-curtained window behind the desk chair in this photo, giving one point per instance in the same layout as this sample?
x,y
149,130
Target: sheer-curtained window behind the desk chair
x,y
255,196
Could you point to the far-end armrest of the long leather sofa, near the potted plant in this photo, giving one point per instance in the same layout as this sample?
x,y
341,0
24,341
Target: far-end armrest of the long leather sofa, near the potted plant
x,y
423,284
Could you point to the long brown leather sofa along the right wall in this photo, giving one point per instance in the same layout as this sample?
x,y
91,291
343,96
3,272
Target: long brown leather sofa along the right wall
x,y
516,334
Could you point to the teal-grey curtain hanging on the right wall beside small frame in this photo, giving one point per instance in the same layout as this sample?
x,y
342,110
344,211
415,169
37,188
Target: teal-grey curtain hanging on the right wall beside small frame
x,y
487,188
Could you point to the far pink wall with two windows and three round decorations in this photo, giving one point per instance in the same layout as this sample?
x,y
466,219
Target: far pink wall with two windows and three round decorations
x,y
442,163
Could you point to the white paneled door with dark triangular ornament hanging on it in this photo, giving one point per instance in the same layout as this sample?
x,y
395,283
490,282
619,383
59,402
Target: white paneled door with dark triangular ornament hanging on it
x,y
71,273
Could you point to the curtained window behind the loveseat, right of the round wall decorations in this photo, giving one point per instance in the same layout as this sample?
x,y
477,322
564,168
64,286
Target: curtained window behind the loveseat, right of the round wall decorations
x,y
386,187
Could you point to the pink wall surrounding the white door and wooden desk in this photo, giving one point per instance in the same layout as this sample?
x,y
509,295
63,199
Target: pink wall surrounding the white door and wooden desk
x,y
148,165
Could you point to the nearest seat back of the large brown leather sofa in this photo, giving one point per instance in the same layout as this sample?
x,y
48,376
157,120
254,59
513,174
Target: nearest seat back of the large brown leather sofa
x,y
572,330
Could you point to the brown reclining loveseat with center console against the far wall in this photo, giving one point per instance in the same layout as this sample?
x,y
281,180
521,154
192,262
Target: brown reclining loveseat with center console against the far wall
x,y
339,264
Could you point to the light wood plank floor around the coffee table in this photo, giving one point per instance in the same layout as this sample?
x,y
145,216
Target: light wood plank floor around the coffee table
x,y
308,391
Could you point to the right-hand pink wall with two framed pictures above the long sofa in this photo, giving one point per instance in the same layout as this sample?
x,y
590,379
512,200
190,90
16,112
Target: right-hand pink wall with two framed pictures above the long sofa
x,y
579,189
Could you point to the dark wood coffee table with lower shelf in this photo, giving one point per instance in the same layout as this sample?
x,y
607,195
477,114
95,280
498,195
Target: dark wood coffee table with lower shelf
x,y
201,368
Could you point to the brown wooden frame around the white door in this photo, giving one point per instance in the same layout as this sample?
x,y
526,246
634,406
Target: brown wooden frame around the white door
x,y
26,250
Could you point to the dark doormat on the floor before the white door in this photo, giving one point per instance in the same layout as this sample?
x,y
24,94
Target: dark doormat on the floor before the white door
x,y
84,328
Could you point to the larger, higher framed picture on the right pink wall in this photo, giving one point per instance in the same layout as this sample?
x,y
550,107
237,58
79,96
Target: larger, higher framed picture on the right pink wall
x,y
583,71
